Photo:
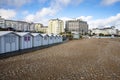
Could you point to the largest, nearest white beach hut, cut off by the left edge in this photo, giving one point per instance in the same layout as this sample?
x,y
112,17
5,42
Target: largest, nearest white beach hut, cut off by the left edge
x,y
8,42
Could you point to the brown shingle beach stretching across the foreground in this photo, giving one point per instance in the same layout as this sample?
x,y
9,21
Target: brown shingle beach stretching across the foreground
x,y
87,59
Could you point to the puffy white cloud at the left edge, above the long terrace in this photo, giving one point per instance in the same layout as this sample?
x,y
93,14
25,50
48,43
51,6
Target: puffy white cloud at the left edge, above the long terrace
x,y
7,13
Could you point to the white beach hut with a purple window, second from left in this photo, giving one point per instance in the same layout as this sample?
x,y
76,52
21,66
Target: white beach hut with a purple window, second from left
x,y
25,40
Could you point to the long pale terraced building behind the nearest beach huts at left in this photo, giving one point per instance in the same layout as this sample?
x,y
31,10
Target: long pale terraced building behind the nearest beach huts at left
x,y
17,25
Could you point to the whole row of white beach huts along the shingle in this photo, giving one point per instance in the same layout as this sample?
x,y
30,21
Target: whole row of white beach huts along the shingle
x,y
14,41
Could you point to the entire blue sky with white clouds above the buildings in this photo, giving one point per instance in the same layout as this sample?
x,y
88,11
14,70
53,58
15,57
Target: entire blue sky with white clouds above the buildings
x,y
97,13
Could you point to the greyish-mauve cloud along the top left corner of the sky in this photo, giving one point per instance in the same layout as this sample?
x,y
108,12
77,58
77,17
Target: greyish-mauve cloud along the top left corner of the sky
x,y
16,3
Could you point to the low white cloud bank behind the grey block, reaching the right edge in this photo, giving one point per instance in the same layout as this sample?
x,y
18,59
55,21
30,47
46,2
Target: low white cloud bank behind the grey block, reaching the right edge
x,y
110,21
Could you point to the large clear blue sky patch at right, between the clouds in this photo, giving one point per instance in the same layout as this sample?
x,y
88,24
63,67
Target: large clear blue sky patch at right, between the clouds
x,y
91,8
